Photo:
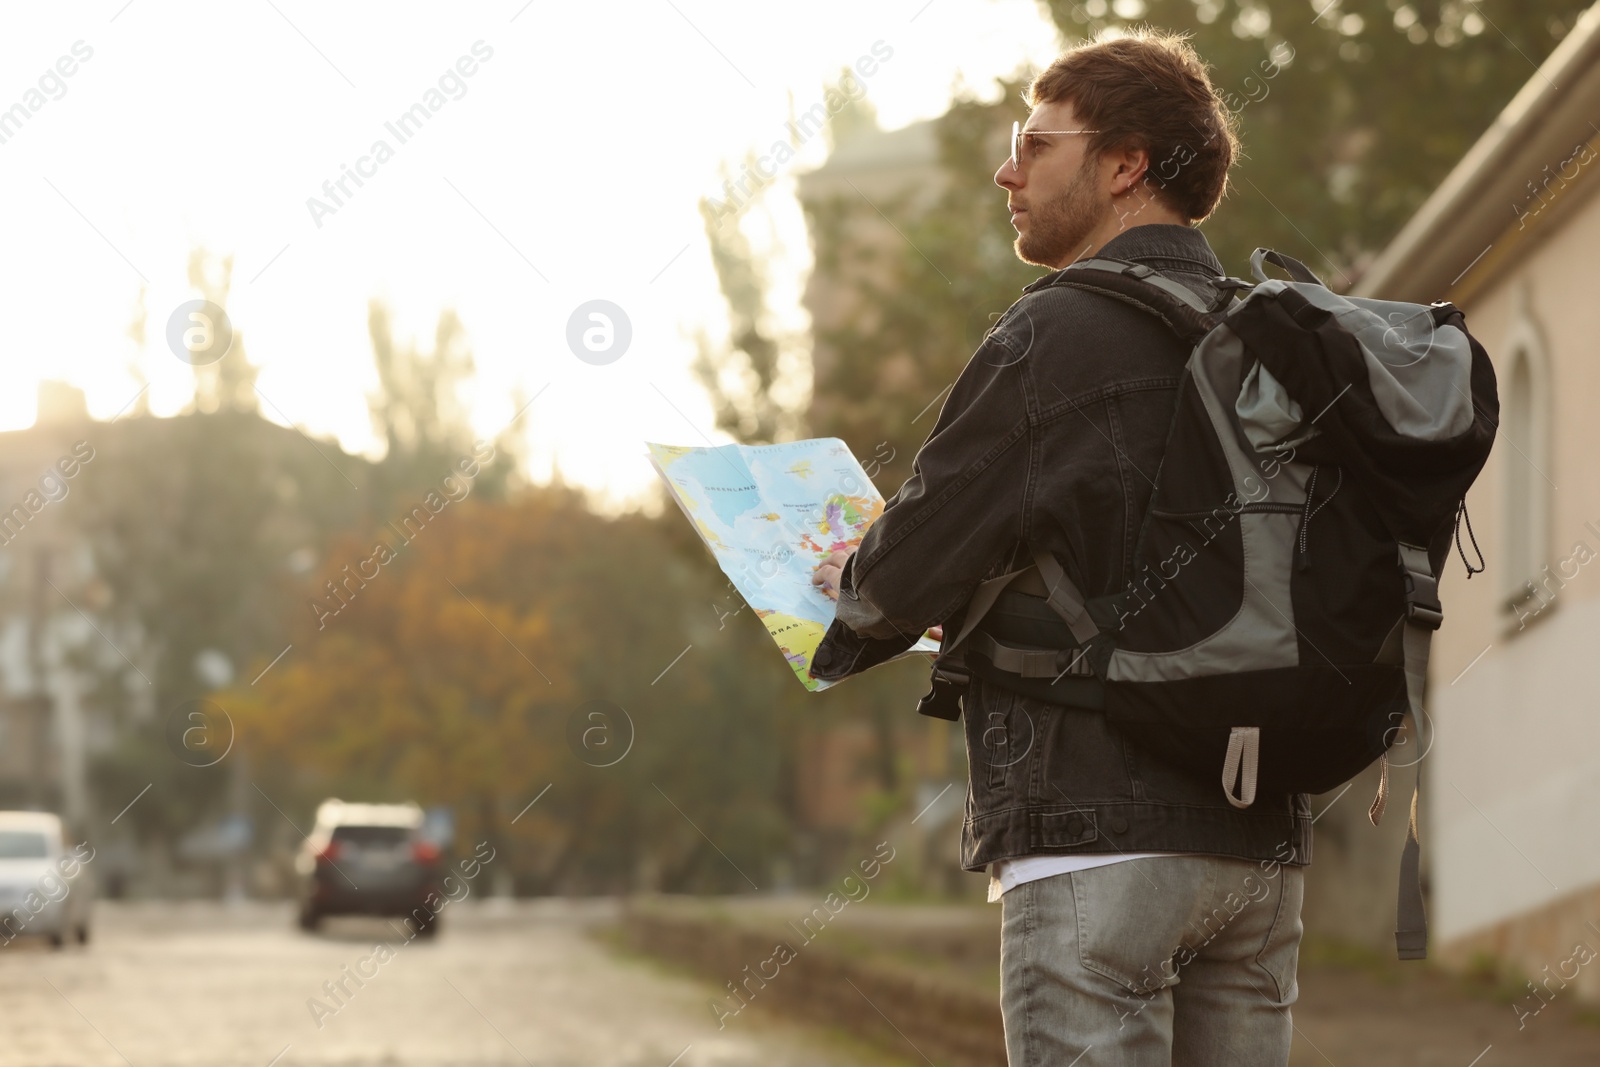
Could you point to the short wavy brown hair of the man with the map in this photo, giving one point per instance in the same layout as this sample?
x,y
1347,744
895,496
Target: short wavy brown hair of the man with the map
x,y
1150,90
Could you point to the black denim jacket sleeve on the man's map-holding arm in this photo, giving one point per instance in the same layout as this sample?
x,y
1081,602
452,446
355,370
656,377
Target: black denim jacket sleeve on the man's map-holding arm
x,y
958,518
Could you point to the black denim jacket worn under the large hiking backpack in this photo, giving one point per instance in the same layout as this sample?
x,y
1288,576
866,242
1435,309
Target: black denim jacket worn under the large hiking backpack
x,y
1052,438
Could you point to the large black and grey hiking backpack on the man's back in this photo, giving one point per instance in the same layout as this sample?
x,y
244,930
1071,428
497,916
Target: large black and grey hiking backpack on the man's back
x,y
1284,589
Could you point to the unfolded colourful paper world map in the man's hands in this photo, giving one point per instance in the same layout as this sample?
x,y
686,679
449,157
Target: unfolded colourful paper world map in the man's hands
x,y
770,514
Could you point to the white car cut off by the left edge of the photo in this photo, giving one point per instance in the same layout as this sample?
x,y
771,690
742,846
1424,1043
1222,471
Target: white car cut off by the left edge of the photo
x,y
44,889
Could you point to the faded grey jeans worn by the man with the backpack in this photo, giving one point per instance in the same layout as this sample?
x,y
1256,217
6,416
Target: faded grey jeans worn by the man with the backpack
x,y
1177,961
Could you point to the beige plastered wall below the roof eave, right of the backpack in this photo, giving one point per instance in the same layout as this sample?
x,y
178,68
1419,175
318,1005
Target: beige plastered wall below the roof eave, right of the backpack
x,y
1514,780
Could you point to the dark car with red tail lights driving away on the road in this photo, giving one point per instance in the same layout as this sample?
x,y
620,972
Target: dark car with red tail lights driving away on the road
x,y
369,860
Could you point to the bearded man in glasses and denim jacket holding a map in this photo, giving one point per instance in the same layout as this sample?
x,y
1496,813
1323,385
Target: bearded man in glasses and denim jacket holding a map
x,y
1145,919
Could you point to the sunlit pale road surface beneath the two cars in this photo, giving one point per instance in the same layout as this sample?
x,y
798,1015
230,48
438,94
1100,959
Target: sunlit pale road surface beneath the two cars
x,y
505,985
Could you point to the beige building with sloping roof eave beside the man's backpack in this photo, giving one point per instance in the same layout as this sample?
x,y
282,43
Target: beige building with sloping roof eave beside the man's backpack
x,y
1513,823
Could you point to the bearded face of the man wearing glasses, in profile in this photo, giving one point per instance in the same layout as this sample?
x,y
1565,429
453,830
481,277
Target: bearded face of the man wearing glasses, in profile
x,y
1055,193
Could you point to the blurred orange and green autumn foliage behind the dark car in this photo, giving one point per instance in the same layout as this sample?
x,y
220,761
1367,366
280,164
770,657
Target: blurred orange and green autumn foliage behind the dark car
x,y
465,671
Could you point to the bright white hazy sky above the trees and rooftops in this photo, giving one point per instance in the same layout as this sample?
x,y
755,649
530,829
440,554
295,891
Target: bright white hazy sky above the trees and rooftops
x,y
566,169
